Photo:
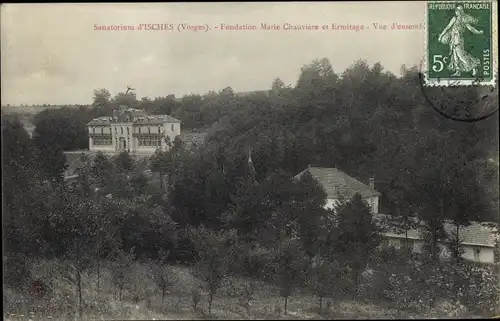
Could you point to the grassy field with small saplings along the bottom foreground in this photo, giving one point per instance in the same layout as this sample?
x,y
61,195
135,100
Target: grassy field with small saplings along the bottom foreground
x,y
141,300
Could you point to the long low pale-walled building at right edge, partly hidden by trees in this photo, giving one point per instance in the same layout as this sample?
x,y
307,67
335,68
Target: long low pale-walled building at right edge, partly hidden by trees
x,y
477,241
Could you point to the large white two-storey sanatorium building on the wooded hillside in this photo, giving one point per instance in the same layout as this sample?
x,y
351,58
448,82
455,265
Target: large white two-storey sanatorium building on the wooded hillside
x,y
132,130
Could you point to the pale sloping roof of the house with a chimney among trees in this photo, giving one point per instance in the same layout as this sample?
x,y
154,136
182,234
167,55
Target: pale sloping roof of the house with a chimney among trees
x,y
338,184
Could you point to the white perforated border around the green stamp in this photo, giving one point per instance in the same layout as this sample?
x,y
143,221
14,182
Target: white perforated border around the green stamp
x,y
494,50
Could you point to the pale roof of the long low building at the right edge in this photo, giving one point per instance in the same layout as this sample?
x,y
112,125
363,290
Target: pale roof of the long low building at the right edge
x,y
477,233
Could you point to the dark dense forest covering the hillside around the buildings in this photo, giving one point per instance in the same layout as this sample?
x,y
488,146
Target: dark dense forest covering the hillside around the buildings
x,y
222,216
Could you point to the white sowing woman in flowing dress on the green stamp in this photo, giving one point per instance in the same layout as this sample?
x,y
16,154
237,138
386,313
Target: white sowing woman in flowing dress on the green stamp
x,y
453,35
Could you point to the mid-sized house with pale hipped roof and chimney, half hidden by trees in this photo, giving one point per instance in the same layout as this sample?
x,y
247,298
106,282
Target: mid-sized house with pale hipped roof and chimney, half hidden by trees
x,y
338,185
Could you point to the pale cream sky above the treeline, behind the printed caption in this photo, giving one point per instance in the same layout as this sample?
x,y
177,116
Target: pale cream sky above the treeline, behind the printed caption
x,y
52,54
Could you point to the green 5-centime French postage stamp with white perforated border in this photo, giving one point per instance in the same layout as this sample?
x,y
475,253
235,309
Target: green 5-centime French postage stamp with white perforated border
x,y
461,43
